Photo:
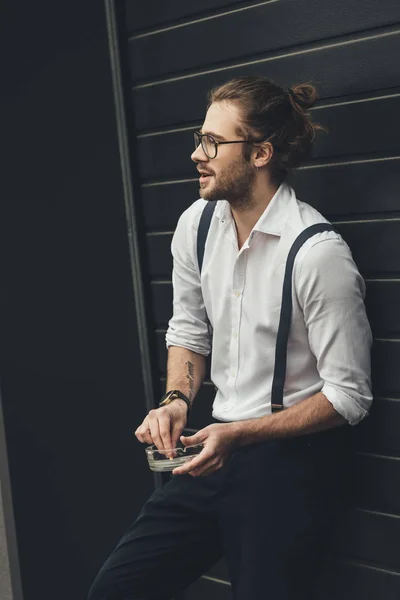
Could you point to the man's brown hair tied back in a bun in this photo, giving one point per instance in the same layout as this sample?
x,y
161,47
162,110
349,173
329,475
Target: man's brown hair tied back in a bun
x,y
269,111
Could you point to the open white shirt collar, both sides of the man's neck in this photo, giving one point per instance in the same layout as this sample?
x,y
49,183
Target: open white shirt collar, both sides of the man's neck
x,y
274,217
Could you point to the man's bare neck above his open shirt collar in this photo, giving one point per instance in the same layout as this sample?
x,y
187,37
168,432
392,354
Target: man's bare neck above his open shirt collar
x,y
247,216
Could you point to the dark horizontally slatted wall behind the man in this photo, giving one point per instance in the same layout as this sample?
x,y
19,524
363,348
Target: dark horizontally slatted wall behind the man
x,y
350,50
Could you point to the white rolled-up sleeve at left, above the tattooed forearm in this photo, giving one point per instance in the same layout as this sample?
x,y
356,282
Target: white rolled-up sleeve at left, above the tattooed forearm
x,y
188,326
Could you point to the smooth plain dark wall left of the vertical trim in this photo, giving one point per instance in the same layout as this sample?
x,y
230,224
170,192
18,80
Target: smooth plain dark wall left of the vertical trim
x,y
70,361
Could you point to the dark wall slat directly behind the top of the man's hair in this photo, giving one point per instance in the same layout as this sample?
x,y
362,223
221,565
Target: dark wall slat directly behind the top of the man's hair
x,y
371,64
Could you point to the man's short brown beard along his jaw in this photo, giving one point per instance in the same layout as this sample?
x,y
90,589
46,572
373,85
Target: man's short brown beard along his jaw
x,y
234,184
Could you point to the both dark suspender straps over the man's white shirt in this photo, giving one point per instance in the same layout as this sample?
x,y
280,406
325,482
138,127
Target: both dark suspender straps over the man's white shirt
x,y
282,337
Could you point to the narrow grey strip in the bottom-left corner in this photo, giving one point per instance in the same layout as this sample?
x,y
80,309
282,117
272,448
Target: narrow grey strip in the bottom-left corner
x,y
8,513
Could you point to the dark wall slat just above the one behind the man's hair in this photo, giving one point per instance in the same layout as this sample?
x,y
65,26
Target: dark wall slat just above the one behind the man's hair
x,y
253,31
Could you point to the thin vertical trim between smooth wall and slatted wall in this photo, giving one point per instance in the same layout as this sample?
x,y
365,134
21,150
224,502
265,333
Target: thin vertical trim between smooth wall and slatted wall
x,y
120,110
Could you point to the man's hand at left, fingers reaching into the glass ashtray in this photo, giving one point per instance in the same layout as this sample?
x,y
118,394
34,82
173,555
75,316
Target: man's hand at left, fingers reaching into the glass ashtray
x,y
163,426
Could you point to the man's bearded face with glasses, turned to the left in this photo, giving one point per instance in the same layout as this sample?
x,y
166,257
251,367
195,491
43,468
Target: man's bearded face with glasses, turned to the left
x,y
229,176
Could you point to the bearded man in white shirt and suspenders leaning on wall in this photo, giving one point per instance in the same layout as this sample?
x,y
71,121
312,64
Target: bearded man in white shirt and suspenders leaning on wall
x,y
264,490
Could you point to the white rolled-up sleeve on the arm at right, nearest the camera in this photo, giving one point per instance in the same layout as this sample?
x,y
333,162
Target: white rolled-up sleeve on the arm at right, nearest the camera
x,y
331,292
